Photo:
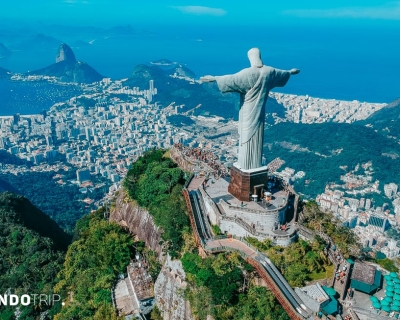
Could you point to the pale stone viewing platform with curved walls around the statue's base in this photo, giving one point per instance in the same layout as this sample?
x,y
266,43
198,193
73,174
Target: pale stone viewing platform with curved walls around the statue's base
x,y
267,218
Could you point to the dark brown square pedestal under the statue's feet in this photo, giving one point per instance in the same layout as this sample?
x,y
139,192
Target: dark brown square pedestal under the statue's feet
x,y
245,183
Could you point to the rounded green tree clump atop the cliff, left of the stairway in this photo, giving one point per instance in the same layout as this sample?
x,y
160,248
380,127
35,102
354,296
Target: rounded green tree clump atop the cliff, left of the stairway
x,y
156,183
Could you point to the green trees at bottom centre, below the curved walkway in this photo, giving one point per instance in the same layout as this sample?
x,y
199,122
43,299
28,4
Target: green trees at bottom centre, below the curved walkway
x,y
221,286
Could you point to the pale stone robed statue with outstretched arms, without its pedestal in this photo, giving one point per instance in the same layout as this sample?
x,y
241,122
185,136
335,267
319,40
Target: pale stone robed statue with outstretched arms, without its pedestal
x,y
253,84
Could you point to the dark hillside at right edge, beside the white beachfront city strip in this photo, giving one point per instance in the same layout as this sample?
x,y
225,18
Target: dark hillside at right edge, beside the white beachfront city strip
x,y
386,120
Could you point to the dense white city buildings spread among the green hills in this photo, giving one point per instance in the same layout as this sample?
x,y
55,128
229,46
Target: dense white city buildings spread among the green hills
x,y
103,131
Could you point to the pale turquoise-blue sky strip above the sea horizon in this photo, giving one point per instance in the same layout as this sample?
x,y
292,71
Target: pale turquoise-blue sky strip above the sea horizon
x,y
106,12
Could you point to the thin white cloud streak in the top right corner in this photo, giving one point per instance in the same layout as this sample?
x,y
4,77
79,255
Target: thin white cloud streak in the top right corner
x,y
390,11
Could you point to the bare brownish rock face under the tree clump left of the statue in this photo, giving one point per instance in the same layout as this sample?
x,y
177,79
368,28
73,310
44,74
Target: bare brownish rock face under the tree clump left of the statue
x,y
139,222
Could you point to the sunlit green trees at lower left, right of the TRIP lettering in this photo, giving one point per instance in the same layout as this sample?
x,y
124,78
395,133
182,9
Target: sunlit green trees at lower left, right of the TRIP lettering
x,y
101,251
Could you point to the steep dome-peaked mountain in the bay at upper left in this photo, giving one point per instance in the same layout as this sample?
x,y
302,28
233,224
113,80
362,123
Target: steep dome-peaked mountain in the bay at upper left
x,y
68,69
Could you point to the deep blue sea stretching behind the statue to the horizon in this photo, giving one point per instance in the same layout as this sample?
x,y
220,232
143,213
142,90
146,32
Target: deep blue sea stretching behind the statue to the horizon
x,y
346,63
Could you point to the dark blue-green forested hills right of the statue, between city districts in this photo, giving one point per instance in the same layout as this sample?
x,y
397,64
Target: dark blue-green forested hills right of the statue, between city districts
x,y
325,139
